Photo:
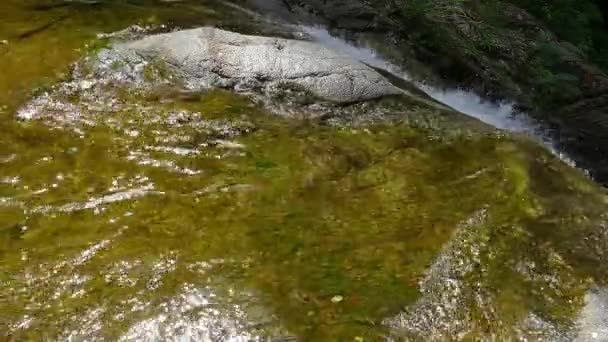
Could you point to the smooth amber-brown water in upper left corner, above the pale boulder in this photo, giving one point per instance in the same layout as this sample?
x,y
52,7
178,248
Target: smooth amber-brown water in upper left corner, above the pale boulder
x,y
43,40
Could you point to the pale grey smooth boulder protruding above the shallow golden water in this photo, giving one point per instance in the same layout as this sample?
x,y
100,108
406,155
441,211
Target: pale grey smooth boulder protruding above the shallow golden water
x,y
209,57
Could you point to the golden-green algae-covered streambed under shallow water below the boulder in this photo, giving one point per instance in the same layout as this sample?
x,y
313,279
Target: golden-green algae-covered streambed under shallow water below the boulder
x,y
305,213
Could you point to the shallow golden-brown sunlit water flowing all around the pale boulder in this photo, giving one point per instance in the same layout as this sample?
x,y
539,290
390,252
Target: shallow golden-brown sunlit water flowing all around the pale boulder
x,y
203,217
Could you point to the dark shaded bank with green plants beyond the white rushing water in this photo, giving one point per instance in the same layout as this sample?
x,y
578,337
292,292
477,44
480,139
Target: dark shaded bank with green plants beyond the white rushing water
x,y
550,56
